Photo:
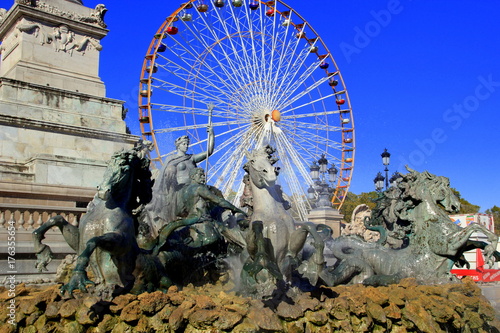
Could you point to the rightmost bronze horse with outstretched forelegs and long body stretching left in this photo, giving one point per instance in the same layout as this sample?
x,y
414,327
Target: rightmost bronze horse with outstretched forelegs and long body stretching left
x,y
417,209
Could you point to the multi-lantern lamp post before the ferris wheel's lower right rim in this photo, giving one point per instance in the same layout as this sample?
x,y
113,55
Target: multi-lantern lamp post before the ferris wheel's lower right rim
x,y
323,178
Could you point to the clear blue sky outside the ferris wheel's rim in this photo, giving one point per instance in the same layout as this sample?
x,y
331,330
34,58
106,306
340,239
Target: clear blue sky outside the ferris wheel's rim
x,y
423,79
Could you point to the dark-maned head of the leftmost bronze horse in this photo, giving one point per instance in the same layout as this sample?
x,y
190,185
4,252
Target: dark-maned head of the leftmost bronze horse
x,y
126,179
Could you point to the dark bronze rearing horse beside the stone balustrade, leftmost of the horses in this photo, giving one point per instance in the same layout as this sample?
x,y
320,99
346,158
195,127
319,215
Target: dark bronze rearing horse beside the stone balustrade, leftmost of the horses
x,y
107,229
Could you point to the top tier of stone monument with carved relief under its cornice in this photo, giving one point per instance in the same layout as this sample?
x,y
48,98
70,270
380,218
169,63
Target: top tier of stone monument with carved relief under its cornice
x,y
54,43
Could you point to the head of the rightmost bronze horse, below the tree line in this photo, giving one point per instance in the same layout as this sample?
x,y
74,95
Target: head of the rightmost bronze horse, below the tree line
x,y
435,189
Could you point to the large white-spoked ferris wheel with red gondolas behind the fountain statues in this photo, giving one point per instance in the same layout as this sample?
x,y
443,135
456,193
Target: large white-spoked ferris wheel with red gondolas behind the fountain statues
x,y
271,80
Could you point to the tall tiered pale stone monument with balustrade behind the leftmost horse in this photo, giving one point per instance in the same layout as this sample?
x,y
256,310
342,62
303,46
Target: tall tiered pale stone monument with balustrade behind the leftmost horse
x,y
57,127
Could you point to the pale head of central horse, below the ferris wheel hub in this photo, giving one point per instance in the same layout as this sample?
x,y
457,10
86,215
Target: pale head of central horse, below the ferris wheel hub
x,y
260,168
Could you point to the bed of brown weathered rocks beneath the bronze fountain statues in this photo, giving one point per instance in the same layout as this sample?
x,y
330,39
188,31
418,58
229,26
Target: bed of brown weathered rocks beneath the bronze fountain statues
x,y
344,308
